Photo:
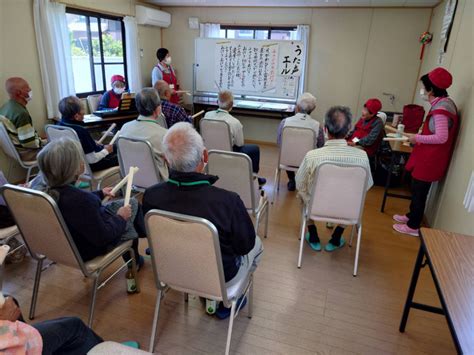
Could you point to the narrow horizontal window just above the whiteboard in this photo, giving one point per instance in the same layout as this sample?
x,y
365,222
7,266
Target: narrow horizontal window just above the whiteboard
x,y
257,32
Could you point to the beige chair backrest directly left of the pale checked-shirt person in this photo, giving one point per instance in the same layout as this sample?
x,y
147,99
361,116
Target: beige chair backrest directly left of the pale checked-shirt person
x,y
295,143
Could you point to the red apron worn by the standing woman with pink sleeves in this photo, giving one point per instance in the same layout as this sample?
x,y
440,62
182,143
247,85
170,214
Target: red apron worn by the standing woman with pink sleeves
x,y
429,162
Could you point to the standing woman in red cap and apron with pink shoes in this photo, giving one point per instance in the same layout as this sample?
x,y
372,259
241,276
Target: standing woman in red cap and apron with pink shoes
x,y
433,148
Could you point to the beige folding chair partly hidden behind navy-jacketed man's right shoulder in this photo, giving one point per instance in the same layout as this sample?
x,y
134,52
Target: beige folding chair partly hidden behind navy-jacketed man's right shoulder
x,y
235,174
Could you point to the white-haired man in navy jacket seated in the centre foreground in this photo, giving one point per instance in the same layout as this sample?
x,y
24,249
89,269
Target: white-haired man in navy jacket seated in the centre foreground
x,y
190,191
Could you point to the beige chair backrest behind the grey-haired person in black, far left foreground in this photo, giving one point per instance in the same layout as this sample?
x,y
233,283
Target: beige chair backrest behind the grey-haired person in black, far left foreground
x,y
42,226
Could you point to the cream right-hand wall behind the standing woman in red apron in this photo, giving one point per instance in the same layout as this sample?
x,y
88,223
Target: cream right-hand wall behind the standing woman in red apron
x,y
445,210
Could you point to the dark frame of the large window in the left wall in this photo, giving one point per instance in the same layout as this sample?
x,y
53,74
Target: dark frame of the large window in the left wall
x,y
99,16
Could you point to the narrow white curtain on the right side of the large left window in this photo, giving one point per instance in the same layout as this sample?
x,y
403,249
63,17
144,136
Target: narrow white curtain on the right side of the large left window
x,y
134,74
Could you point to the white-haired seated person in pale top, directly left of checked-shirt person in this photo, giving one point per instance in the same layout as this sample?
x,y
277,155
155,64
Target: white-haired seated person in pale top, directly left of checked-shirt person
x,y
305,105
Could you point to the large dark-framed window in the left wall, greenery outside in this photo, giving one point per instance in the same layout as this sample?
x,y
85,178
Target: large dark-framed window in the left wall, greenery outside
x,y
97,49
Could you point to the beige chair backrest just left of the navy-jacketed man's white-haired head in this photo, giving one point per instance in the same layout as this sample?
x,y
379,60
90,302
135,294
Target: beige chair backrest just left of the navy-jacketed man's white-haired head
x,y
139,153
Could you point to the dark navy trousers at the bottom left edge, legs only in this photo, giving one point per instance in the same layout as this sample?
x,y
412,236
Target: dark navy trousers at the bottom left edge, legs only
x,y
67,335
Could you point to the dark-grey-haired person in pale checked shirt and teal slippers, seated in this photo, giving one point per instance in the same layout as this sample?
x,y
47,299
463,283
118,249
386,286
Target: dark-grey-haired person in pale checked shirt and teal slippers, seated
x,y
336,124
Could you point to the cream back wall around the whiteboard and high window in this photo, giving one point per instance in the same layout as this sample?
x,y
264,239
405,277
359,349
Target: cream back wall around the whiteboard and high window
x,y
354,53
